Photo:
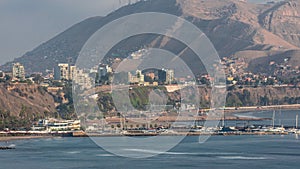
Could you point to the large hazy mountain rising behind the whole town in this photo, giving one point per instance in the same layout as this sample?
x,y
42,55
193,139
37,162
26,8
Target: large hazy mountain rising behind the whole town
x,y
234,27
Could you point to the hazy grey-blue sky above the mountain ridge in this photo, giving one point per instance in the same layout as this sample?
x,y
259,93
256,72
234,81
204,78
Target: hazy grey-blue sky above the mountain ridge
x,y
25,24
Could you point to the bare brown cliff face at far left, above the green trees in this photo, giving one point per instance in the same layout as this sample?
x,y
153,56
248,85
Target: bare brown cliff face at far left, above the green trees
x,y
31,99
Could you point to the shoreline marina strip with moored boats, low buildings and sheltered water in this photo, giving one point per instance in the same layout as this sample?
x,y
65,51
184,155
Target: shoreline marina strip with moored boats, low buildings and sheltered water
x,y
270,122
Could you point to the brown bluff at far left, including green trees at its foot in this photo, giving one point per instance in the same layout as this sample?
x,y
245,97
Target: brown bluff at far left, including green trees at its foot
x,y
22,104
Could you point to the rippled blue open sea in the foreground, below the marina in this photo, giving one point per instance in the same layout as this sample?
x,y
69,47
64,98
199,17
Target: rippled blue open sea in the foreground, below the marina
x,y
224,152
